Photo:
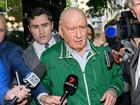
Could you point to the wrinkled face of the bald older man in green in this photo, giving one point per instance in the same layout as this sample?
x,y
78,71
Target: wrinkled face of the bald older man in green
x,y
74,30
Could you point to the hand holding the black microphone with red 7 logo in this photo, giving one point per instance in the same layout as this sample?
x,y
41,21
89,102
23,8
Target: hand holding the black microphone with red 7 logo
x,y
51,100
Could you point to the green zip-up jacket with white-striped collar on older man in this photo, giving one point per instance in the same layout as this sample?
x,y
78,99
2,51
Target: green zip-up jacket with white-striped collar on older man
x,y
93,82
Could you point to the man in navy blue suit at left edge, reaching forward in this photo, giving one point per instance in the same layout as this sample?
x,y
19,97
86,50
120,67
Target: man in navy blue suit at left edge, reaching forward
x,y
12,58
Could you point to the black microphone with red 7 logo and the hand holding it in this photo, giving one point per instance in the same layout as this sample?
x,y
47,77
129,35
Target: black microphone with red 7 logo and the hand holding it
x,y
70,87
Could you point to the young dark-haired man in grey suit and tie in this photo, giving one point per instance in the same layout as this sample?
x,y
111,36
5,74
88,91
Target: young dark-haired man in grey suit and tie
x,y
40,25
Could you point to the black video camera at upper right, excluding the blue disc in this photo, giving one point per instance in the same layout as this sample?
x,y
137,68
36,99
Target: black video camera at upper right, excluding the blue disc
x,y
128,26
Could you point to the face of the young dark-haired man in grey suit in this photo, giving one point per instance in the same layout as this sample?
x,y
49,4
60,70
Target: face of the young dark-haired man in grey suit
x,y
41,28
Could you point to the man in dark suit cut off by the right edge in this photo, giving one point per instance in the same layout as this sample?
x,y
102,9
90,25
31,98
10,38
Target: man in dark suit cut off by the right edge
x,y
134,71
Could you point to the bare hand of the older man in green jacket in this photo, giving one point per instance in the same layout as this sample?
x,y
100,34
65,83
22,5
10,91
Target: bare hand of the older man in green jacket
x,y
109,98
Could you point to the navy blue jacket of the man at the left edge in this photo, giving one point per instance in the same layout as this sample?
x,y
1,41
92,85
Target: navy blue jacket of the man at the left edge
x,y
12,58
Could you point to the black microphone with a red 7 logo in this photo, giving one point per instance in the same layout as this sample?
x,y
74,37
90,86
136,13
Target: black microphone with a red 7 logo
x,y
70,87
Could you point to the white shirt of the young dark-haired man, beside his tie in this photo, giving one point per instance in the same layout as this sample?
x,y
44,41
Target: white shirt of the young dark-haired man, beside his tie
x,y
40,48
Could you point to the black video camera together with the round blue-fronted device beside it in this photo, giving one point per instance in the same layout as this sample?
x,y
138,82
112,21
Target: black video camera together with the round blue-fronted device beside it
x,y
126,28
